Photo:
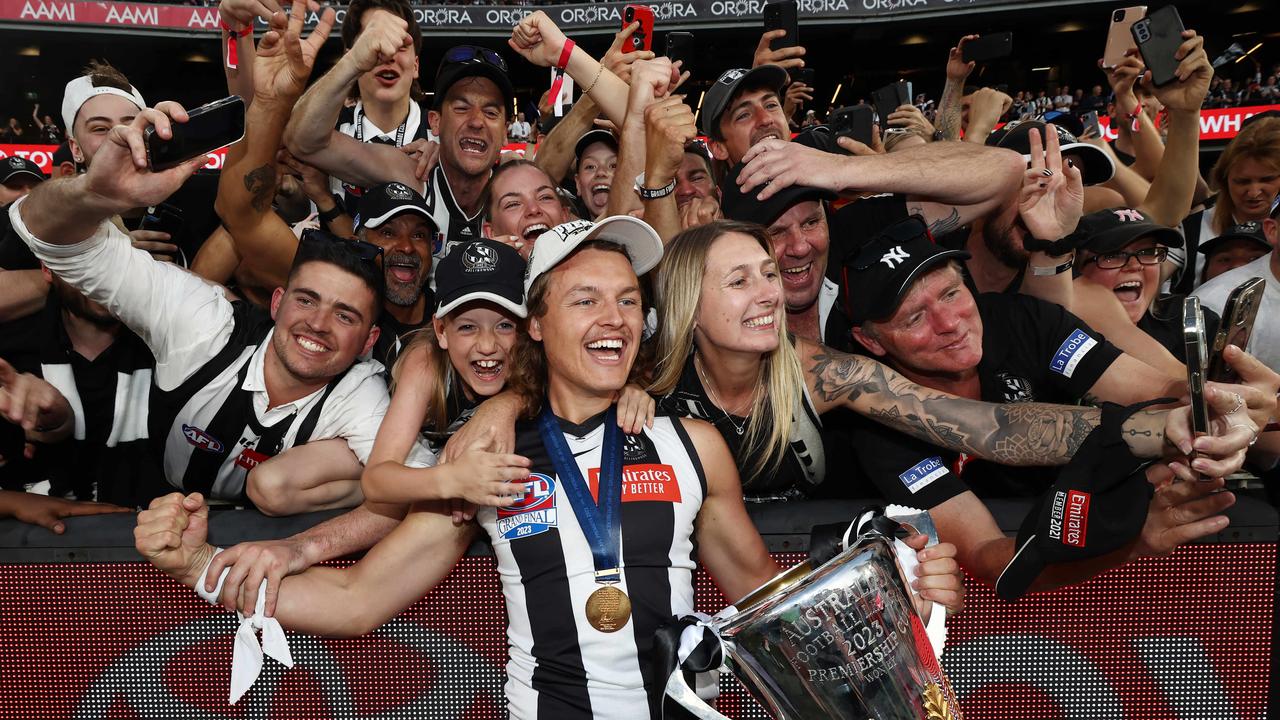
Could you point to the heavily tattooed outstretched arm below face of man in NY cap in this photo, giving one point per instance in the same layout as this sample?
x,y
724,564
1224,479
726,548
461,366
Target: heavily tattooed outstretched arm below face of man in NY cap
x,y
1023,434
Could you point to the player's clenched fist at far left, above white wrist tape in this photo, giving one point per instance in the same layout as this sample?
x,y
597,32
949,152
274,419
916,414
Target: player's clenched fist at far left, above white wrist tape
x,y
171,535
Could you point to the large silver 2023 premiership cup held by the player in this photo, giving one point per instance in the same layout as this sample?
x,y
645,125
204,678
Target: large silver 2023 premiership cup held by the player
x,y
842,642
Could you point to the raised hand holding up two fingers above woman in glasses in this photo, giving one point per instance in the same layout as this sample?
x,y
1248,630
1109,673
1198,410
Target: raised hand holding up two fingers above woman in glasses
x,y
1053,197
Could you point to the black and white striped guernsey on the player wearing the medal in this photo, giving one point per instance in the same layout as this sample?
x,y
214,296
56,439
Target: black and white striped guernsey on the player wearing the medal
x,y
561,668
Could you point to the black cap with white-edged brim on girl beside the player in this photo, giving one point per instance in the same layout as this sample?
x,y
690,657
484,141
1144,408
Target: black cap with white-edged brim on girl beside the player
x,y
482,270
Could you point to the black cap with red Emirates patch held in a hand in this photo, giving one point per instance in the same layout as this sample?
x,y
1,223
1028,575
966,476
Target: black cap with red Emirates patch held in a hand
x,y
1098,505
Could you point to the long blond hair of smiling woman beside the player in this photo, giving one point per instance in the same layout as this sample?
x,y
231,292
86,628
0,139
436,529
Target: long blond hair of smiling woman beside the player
x,y
780,377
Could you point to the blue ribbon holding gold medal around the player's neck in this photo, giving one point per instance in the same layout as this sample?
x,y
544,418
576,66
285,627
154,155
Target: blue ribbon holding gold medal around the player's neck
x,y
601,521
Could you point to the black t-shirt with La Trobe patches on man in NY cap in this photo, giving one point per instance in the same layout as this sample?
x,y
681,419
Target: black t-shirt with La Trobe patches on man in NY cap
x,y
1032,352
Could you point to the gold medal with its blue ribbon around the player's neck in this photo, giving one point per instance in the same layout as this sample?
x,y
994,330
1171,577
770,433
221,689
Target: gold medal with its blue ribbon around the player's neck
x,y
609,609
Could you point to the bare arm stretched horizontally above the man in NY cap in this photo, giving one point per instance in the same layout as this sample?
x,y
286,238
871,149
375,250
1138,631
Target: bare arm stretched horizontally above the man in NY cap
x,y
948,184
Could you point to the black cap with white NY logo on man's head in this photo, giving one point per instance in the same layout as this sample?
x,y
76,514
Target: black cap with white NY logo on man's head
x,y
877,279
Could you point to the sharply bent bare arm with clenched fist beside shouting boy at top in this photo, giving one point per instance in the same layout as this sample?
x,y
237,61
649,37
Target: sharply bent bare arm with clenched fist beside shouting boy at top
x,y
310,134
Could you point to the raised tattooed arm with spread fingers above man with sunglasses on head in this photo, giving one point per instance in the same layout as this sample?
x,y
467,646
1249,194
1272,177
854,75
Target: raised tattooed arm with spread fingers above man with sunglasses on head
x,y
248,185
